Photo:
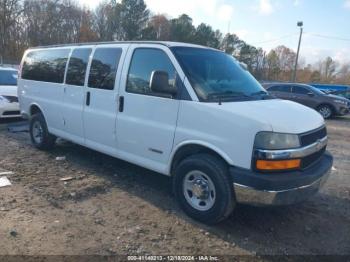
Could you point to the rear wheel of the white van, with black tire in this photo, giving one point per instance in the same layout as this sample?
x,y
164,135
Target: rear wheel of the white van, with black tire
x,y
46,141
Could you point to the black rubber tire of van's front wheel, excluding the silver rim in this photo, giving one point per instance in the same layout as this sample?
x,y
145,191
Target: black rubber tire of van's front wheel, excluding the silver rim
x,y
217,171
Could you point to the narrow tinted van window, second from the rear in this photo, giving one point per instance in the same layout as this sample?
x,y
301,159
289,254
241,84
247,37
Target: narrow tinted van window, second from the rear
x,y
77,66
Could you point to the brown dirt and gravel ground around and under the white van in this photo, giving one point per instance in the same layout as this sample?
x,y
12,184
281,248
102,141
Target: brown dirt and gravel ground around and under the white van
x,y
108,206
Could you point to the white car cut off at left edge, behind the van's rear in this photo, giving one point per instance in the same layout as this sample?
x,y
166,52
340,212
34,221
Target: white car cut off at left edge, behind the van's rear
x,y
9,106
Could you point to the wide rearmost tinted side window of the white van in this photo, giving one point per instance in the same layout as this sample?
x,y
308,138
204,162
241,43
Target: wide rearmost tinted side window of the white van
x,y
46,65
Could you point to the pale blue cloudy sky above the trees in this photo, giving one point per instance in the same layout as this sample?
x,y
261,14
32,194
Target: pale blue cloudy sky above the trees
x,y
268,23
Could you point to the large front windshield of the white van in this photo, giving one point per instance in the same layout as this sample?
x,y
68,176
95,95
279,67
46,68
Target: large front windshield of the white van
x,y
216,76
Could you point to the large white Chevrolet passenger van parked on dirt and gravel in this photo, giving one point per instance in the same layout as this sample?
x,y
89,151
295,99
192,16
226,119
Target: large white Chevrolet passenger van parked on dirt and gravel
x,y
185,111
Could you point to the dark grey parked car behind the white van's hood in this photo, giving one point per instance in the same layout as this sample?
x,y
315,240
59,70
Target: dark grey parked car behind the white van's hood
x,y
327,105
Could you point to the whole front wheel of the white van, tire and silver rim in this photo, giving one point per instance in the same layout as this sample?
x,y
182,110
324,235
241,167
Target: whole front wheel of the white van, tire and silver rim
x,y
203,188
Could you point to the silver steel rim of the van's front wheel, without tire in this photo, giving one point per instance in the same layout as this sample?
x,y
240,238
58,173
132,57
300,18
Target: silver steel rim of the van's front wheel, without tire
x,y
199,190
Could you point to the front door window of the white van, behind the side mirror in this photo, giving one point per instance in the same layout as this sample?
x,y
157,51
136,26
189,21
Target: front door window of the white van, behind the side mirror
x,y
144,62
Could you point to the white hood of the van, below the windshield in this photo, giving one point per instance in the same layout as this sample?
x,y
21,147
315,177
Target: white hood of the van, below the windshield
x,y
281,115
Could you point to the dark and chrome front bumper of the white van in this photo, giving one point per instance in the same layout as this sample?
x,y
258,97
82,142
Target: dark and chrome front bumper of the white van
x,y
280,188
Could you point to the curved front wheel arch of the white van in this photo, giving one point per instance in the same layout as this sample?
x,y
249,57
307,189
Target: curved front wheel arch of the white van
x,y
188,148
